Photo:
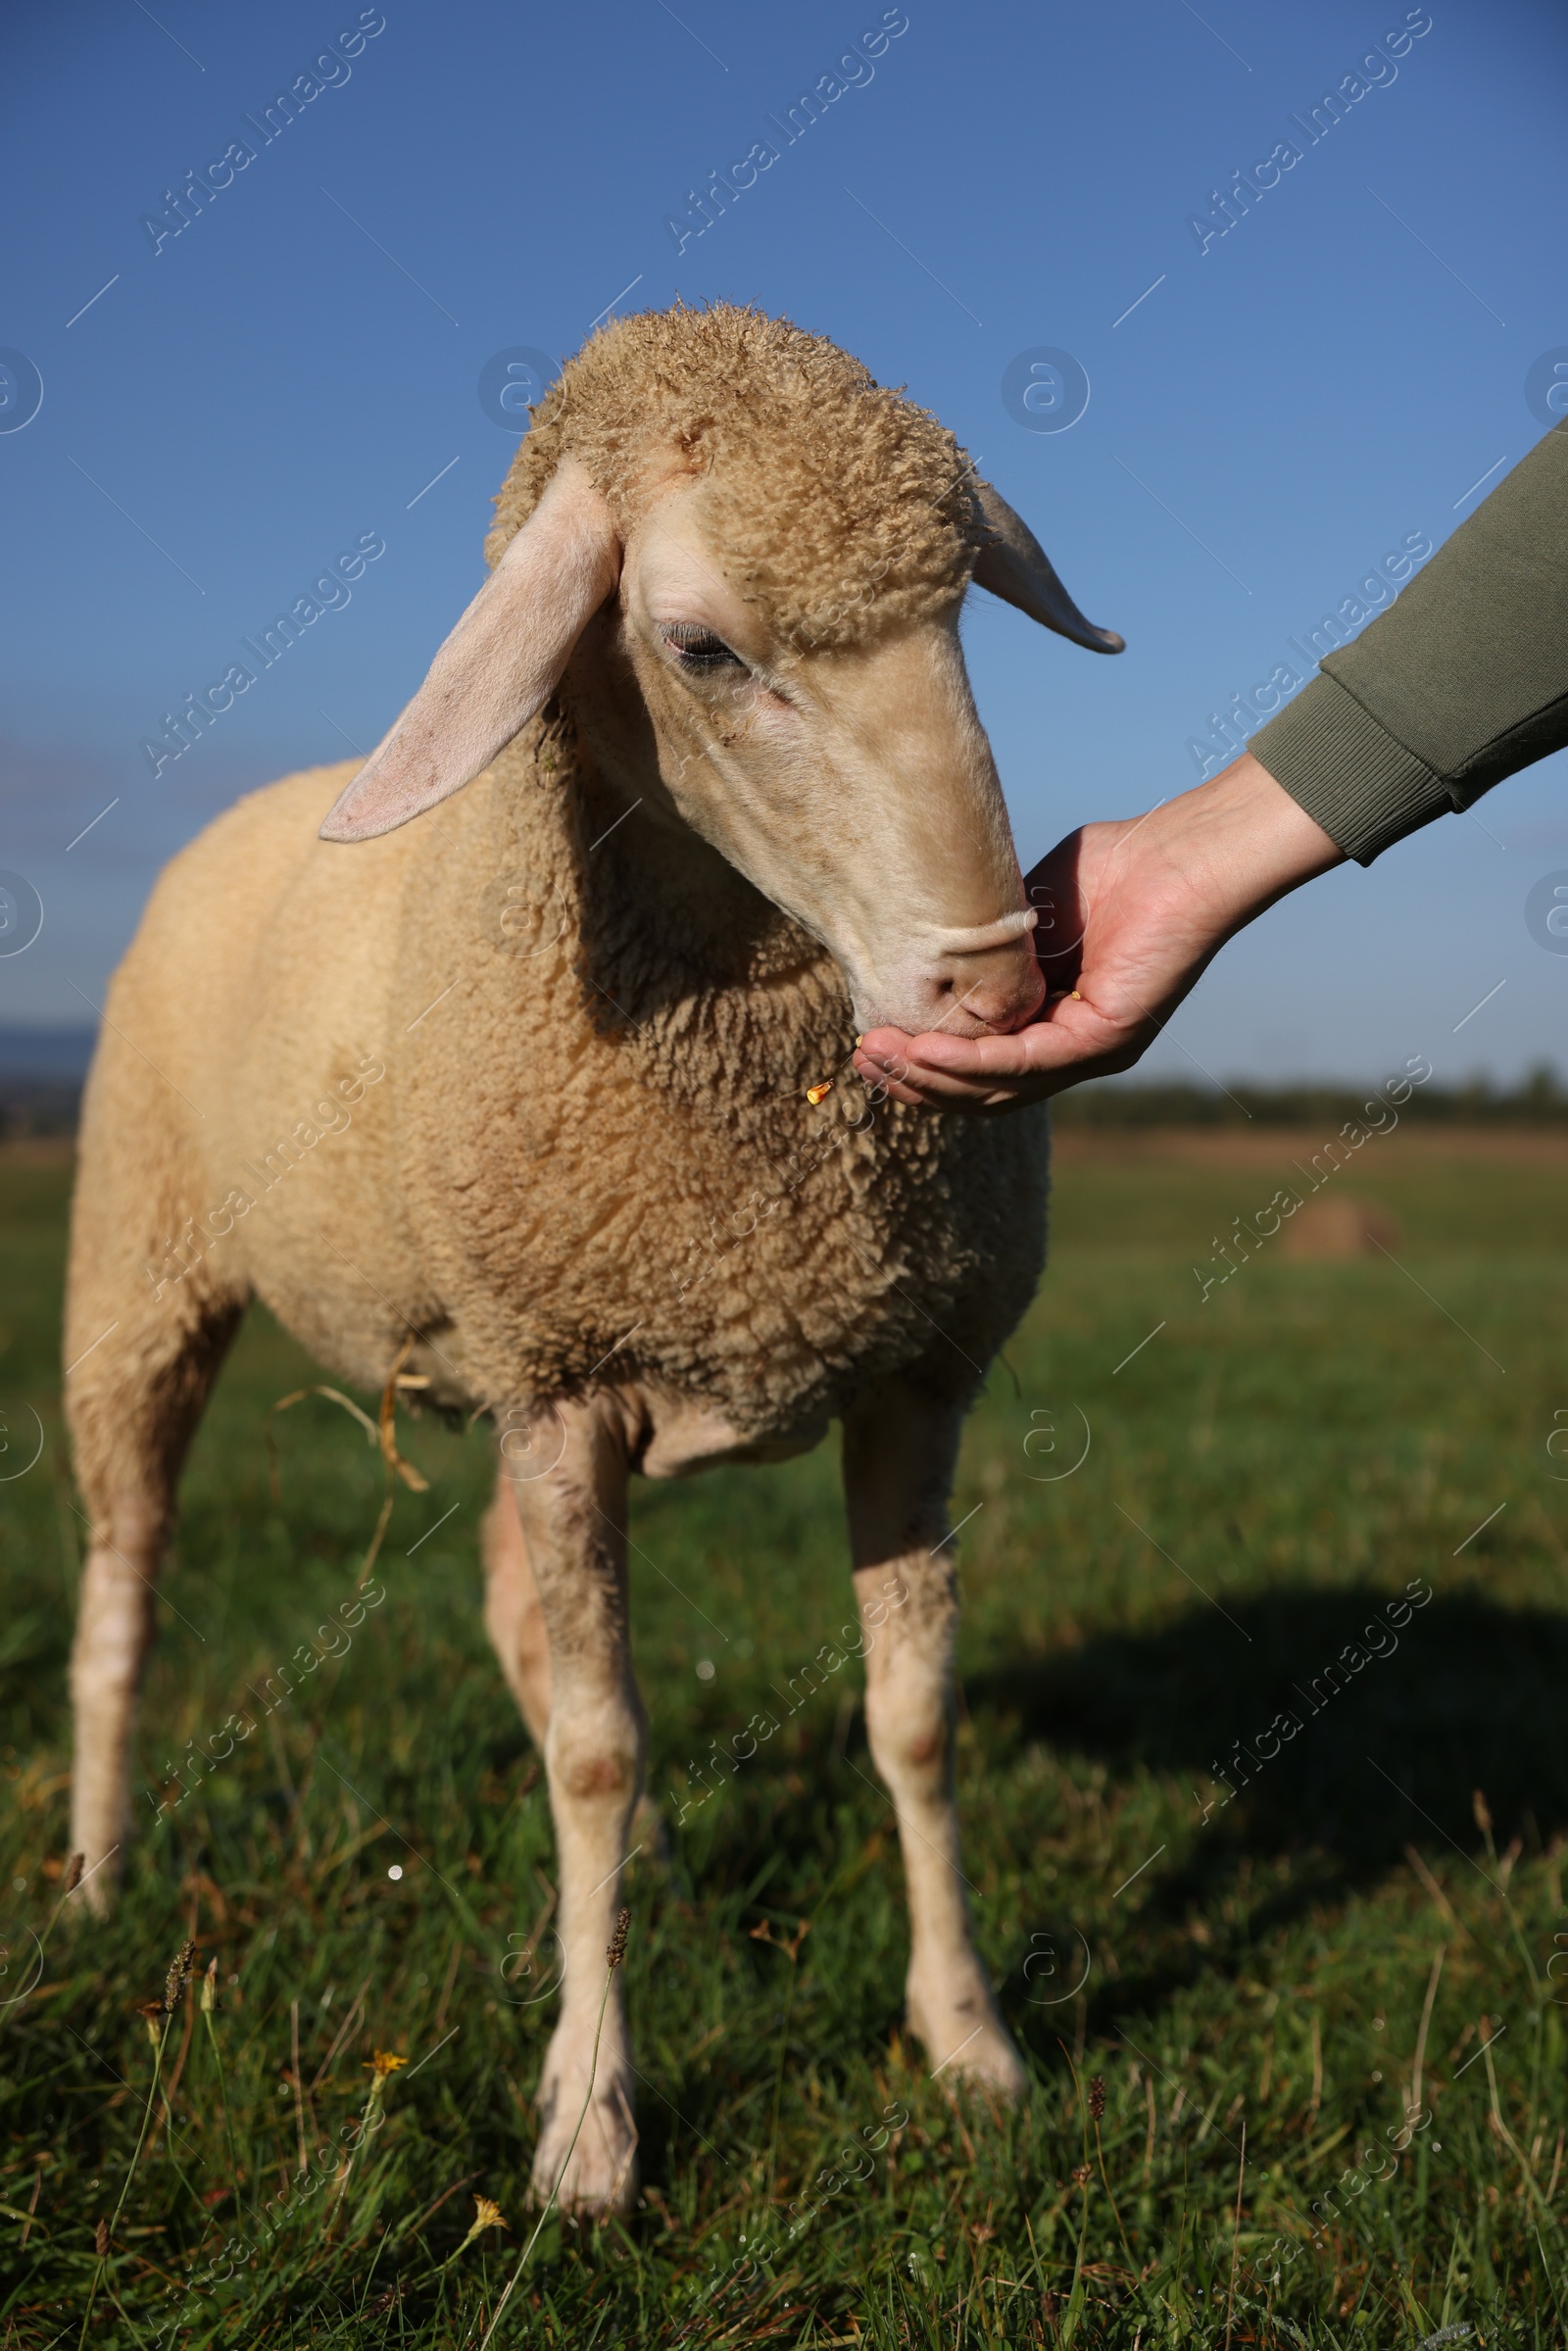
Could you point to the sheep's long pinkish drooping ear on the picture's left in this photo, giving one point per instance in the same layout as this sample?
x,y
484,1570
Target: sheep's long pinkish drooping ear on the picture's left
x,y
500,664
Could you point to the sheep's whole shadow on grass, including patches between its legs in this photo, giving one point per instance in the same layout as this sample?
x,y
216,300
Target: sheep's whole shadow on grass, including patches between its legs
x,y
1391,1753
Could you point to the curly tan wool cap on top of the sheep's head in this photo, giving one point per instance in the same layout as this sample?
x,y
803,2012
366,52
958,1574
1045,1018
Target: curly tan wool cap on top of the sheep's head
x,y
840,507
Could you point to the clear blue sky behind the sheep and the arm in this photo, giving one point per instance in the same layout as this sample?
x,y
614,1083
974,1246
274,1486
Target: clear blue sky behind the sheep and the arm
x,y
302,366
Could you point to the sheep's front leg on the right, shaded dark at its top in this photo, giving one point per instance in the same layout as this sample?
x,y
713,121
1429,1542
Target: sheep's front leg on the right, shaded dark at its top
x,y
899,1456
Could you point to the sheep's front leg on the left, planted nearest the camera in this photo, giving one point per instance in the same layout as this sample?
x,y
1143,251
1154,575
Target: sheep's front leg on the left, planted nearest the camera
x,y
575,1527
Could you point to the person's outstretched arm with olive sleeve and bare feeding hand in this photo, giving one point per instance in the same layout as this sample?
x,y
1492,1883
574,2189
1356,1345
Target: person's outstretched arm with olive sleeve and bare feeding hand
x,y
1456,688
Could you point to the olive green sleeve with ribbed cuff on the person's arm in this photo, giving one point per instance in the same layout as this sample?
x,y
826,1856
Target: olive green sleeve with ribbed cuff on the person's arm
x,y
1456,688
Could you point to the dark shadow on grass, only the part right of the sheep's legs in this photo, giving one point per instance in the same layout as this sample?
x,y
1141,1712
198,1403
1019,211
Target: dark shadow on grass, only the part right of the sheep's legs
x,y
1391,1760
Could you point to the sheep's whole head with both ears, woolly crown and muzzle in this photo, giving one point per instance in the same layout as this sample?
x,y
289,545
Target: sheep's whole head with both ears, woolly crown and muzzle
x,y
772,554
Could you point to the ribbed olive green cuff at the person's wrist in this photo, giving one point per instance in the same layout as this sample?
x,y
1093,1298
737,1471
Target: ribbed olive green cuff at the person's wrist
x,y
1348,772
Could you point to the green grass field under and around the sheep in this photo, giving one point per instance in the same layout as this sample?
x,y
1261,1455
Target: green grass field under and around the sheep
x,y
1264,1475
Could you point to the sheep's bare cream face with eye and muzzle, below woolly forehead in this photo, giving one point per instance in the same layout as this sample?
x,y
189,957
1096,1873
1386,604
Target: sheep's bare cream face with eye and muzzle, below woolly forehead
x,y
850,784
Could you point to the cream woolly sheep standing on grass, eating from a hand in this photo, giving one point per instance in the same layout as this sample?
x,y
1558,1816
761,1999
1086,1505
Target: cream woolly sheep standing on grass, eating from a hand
x,y
728,801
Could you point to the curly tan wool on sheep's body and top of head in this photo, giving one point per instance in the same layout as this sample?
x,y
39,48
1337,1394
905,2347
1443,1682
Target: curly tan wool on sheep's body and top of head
x,y
591,1158
